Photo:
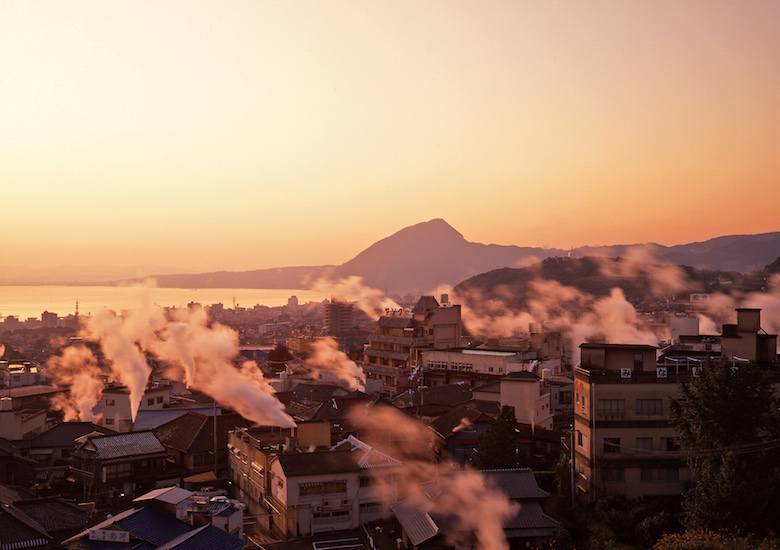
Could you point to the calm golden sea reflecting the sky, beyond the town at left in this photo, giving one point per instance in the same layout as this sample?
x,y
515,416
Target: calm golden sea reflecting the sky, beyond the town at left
x,y
31,301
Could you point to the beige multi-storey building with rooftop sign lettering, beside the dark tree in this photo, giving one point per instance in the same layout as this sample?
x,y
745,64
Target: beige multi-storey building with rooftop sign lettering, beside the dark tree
x,y
624,443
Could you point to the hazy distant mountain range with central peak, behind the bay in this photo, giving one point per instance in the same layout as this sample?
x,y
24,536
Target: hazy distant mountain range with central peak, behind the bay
x,y
417,258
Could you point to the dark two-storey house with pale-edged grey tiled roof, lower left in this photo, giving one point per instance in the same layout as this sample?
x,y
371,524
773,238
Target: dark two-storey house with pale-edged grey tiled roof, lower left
x,y
115,468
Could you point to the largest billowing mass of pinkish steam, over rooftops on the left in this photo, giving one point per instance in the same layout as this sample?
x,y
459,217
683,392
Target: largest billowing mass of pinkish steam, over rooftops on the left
x,y
197,353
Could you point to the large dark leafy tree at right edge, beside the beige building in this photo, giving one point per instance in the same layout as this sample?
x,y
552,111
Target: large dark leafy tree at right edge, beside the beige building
x,y
728,421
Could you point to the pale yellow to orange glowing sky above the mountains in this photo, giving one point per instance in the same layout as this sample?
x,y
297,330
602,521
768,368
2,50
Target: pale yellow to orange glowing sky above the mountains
x,y
242,135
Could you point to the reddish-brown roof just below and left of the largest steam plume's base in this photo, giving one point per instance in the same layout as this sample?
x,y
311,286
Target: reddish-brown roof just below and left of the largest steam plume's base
x,y
194,432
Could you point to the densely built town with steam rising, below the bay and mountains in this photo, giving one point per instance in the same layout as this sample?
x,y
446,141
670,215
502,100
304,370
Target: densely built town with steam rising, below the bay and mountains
x,y
412,428
